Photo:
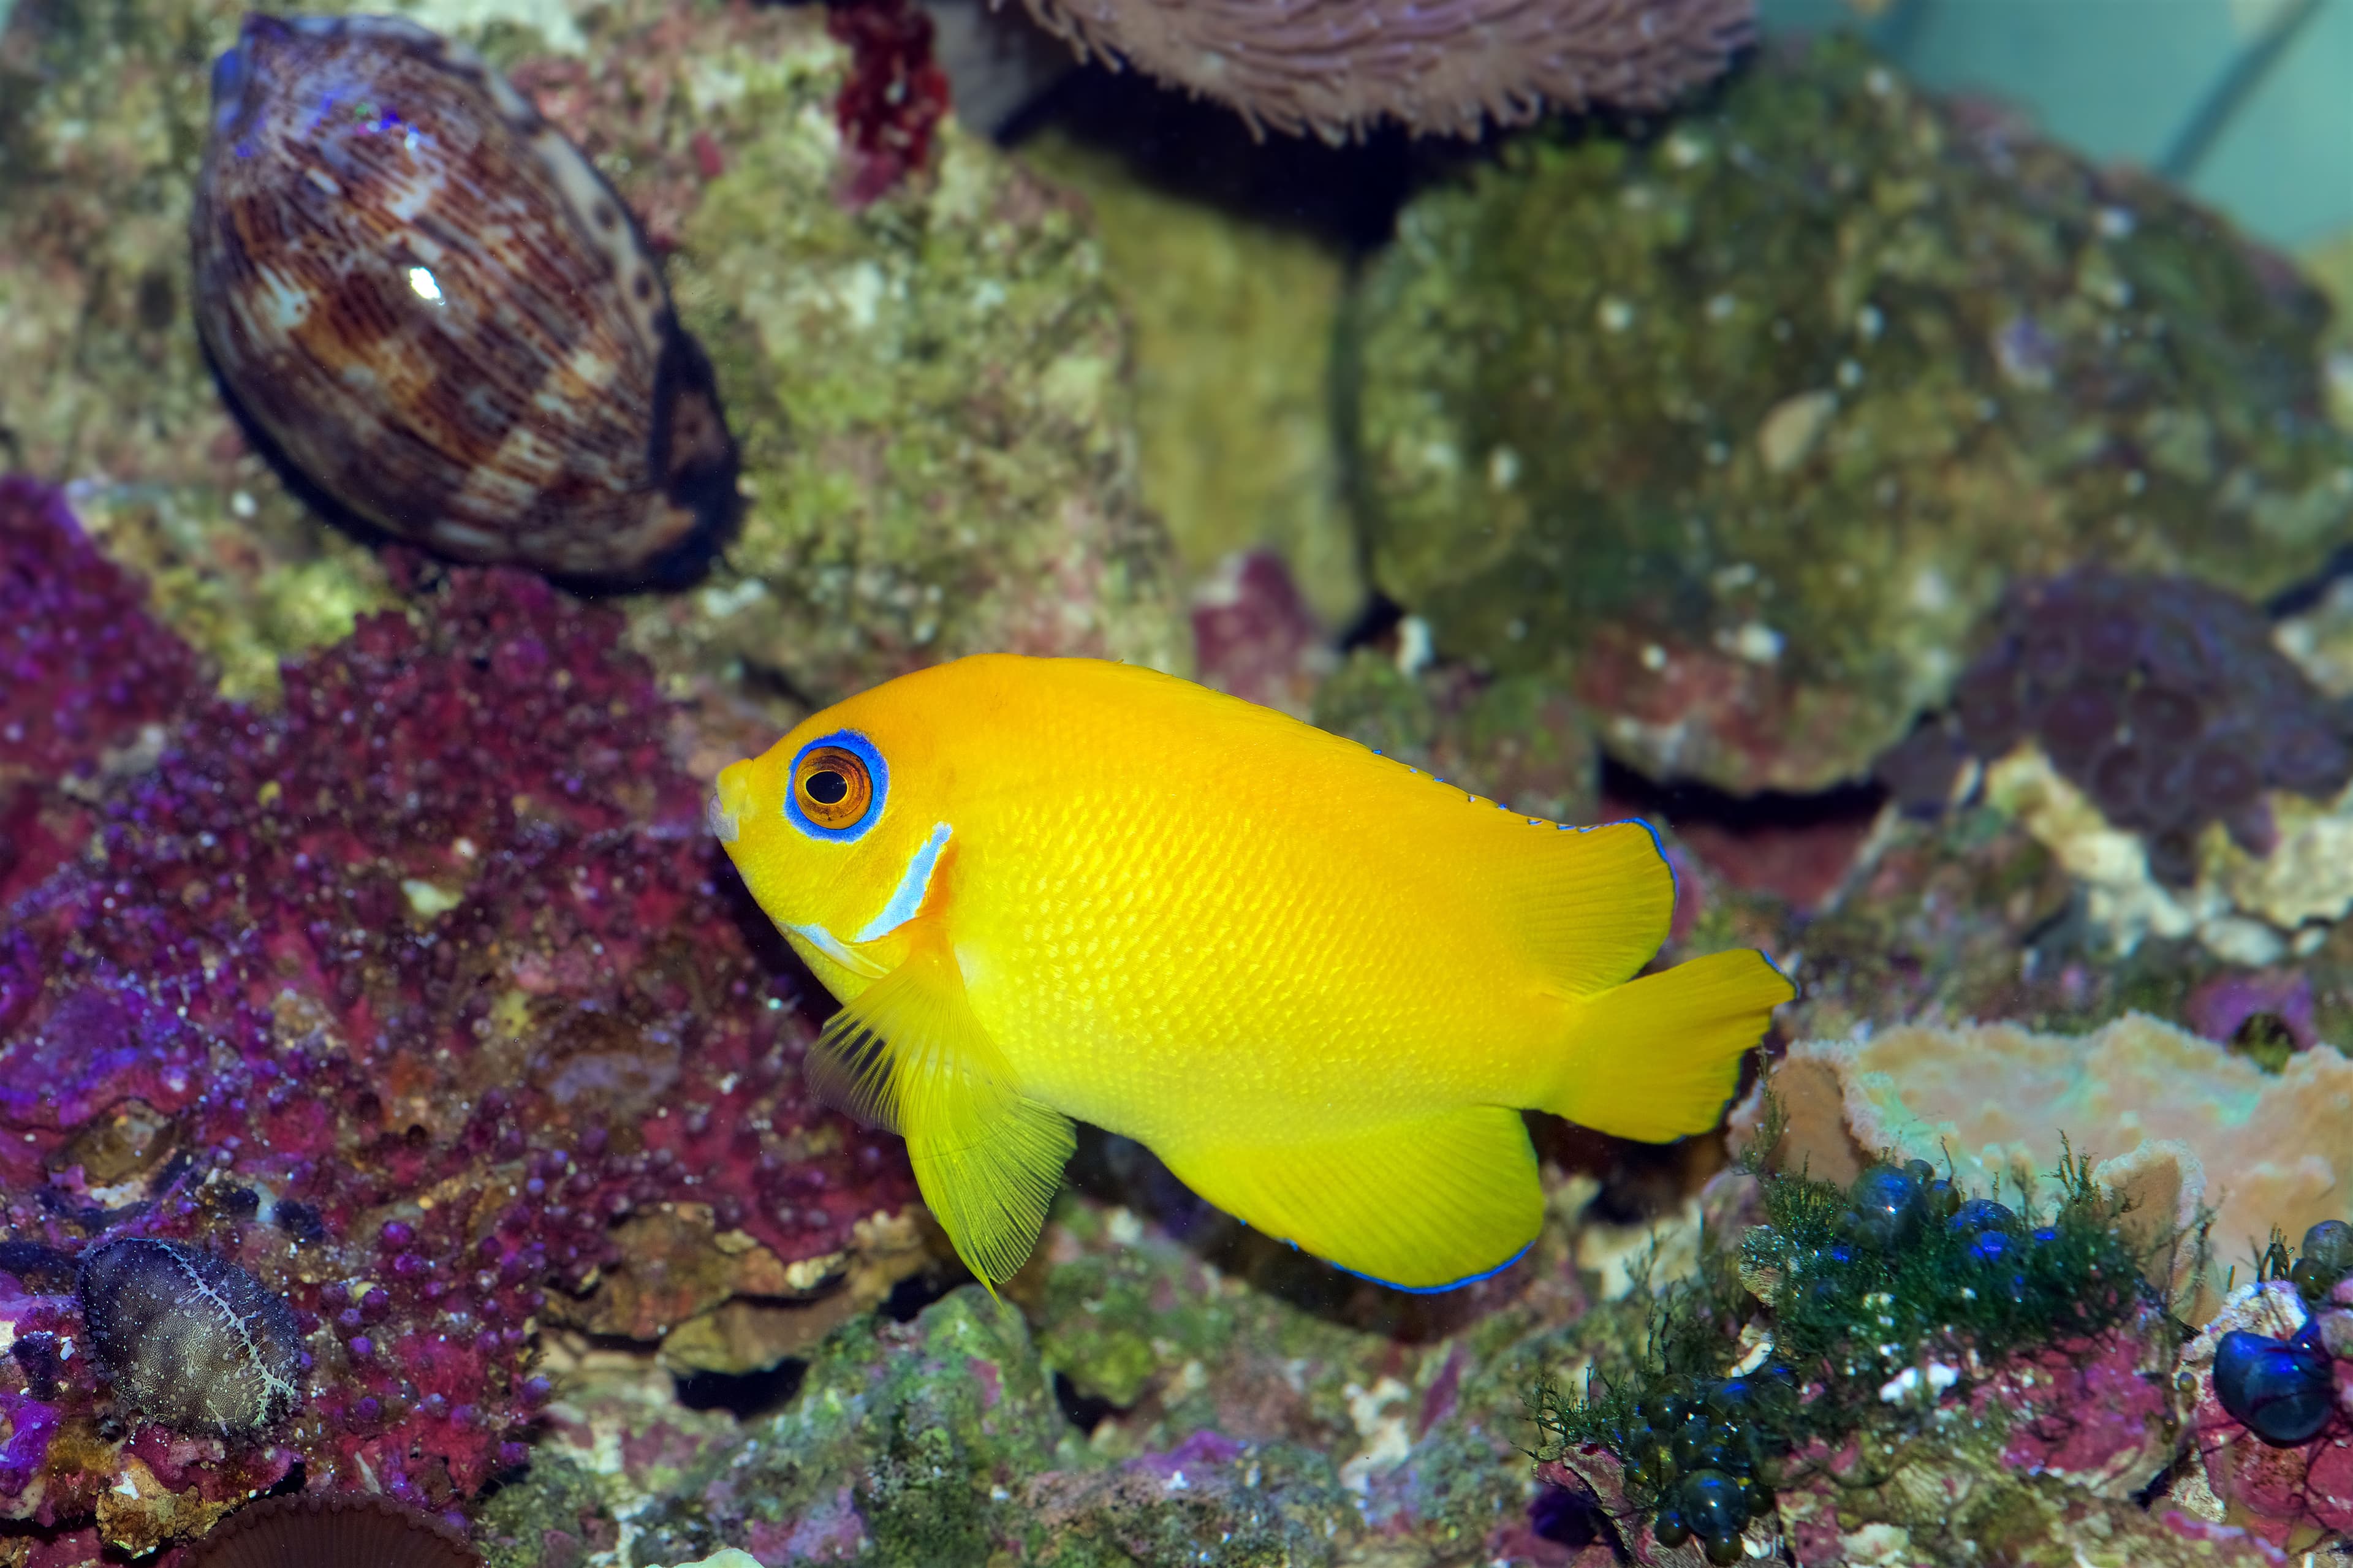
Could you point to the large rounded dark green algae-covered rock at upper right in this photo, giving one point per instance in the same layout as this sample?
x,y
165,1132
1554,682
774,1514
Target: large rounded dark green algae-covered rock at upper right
x,y
1747,427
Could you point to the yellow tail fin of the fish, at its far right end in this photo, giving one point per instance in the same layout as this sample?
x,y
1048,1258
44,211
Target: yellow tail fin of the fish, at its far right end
x,y
1658,1056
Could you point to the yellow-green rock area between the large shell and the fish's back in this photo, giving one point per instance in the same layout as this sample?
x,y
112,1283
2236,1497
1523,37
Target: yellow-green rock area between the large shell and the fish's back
x,y
933,404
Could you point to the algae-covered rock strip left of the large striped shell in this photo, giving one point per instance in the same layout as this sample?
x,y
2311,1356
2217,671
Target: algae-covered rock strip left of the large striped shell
x,y
102,119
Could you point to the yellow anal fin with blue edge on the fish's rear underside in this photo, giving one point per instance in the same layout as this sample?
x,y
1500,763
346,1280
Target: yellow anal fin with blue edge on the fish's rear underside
x,y
1420,1204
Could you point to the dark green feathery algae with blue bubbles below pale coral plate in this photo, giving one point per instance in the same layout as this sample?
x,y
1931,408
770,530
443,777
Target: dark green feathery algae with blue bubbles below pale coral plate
x,y
1829,1310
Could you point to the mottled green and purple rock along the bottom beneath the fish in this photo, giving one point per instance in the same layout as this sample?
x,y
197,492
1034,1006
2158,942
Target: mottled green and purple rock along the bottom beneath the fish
x,y
1159,1388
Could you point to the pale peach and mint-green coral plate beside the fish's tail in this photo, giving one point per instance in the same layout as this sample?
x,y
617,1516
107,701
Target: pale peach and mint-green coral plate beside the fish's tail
x,y
2171,1119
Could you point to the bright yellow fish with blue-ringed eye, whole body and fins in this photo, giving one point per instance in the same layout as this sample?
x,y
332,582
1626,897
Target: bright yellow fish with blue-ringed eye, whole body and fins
x,y
1317,983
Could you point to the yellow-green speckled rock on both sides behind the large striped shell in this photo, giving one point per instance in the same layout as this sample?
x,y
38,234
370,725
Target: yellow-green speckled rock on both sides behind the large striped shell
x,y
928,390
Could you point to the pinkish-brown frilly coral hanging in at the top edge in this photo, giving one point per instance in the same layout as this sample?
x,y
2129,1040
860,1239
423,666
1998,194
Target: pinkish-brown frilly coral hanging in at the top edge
x,y
1335,67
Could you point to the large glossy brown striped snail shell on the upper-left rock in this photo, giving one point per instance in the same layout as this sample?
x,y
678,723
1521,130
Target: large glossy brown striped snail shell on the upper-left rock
x,y
439,312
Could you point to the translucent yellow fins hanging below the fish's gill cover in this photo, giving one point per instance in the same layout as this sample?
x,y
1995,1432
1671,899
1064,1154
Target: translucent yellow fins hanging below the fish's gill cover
x,y
912,1056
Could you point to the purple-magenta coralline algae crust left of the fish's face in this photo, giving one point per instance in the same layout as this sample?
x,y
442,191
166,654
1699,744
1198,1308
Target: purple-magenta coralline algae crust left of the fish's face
x,y
406,1002
